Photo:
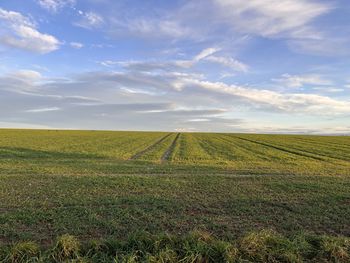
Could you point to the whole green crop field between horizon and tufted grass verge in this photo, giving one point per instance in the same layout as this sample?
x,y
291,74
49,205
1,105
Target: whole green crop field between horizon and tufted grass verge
x,y
99,184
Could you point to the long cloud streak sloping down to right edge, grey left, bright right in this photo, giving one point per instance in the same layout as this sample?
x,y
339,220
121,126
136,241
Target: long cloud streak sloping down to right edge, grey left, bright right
x,y
187,88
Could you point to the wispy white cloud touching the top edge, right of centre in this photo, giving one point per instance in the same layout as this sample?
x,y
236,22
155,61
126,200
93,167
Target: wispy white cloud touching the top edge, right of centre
x,y
271,18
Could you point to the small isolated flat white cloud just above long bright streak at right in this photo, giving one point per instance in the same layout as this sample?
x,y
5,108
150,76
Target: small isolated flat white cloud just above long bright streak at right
x,y
298,81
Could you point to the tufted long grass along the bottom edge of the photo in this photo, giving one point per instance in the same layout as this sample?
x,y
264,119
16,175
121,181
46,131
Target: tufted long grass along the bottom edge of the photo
x,y
263,246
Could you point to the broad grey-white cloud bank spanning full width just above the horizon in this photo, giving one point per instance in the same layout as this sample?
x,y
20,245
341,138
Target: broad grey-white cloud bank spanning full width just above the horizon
x,y
163,99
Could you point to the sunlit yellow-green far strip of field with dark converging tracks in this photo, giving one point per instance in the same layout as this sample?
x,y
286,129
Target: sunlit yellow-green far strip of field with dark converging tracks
x,y
248,153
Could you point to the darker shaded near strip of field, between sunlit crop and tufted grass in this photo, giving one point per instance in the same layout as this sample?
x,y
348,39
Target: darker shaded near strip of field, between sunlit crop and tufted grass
x,y
40,207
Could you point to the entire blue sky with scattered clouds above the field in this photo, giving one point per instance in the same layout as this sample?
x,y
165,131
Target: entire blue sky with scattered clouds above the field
x,y
272,66
